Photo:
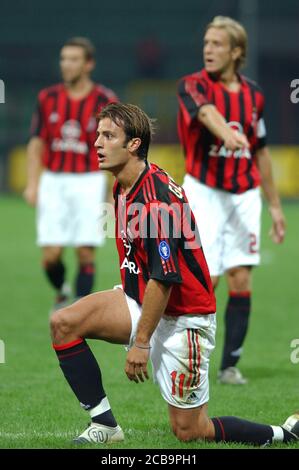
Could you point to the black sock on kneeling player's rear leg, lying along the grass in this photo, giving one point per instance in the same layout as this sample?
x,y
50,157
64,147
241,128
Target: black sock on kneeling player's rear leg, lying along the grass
x,y
231,429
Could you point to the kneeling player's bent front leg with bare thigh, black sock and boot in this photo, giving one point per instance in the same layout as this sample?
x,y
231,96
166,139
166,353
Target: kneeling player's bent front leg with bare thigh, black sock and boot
x,y
104,315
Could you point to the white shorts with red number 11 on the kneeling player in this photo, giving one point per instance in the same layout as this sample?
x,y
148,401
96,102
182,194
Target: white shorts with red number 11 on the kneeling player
x,y
180,354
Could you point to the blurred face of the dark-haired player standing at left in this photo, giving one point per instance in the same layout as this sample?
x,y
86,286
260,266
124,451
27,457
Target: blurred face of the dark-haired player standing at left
x,y
73,64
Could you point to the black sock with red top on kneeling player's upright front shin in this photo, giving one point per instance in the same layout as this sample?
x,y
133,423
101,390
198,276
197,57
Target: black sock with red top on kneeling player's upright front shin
x,y
83,374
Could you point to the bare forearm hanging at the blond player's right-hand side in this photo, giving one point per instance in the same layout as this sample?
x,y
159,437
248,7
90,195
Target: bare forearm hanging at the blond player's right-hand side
x,y
267,181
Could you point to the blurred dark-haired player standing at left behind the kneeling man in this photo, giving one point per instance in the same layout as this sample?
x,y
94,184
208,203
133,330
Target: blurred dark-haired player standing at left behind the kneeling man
x,y
70,189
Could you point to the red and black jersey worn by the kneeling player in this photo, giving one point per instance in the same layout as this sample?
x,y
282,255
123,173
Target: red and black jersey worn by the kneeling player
x,y
157,238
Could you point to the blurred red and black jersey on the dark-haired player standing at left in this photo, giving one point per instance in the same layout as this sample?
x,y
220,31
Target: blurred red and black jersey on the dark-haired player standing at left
x,y
68,127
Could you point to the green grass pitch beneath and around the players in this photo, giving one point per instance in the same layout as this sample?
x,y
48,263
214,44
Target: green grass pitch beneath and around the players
x,y
38,410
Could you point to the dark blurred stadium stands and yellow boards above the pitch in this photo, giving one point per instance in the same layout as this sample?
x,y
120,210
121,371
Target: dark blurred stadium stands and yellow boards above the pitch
x,y
142,49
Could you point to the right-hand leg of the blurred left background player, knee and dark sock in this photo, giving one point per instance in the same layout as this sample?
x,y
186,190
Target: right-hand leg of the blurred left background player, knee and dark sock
x,y
86,270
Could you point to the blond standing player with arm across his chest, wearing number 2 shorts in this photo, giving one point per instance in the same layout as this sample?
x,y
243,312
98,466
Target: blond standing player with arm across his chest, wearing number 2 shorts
x,y
222,131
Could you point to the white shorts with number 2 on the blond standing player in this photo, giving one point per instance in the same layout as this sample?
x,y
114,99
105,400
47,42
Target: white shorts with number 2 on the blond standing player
x,y
229,225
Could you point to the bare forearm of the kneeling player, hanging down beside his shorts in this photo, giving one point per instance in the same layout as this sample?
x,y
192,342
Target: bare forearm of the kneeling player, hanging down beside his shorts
x,y
154,304
